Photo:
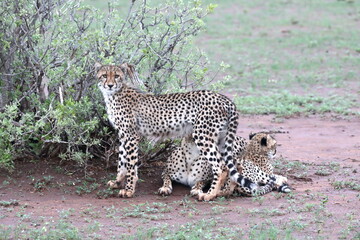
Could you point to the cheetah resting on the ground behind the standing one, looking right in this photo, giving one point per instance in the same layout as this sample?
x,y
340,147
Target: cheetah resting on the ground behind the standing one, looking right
x,y
252,161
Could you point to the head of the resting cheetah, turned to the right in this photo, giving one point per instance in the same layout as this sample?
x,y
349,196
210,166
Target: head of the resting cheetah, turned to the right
x,y
263,143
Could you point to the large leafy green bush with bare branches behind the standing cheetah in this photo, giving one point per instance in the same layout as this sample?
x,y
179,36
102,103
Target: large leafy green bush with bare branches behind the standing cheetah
x,y
49,104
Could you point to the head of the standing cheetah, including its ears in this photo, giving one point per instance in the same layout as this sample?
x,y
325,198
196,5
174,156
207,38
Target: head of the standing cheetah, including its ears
x,y
111,78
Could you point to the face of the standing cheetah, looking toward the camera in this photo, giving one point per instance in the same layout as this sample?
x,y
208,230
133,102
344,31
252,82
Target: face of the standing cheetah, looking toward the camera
x,y
110,78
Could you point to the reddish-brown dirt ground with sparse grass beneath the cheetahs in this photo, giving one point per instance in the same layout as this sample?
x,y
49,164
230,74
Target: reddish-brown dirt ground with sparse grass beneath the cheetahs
x,y
319,155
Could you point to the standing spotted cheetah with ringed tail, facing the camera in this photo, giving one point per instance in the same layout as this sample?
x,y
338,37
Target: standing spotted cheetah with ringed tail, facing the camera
x,y
209,117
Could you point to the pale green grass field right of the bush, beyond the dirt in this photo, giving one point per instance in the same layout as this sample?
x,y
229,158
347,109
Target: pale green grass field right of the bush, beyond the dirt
x,y
269,45
